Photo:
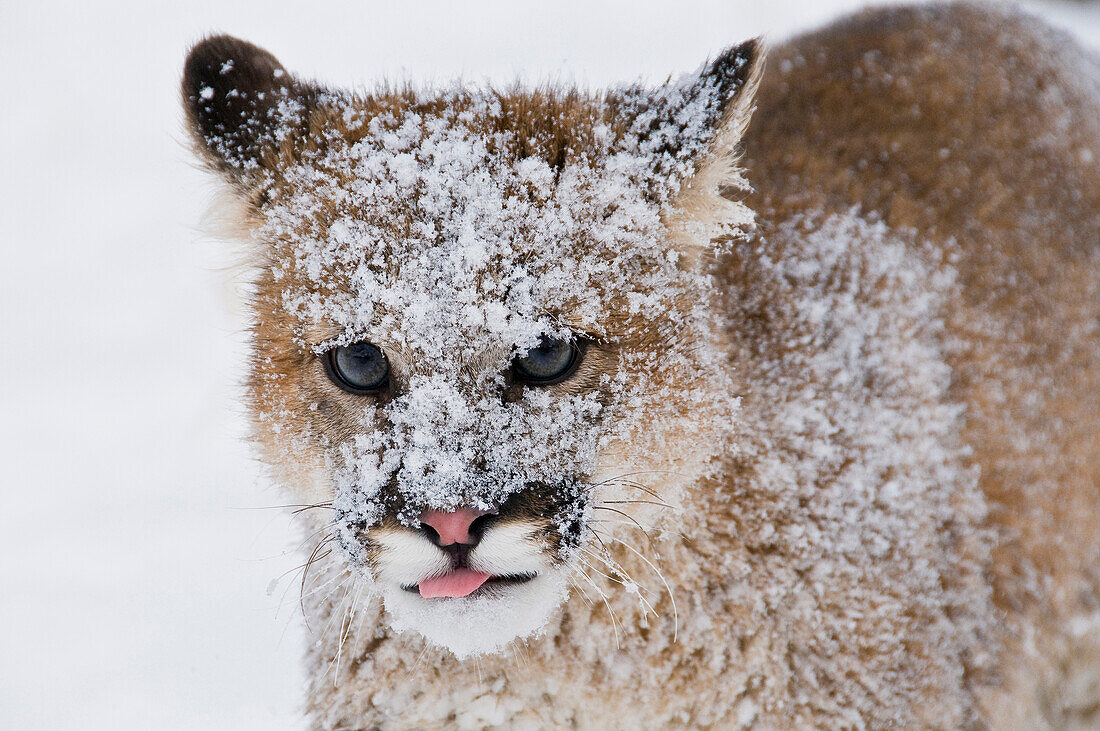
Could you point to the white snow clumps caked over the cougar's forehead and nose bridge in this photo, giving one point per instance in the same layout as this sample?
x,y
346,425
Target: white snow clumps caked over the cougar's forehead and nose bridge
x,y
428,237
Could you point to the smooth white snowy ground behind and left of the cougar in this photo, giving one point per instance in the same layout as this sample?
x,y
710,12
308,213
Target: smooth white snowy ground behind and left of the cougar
x,y
136,549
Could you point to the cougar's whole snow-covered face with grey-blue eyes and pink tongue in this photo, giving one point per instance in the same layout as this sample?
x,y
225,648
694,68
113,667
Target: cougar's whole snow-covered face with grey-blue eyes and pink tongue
x,y
476,329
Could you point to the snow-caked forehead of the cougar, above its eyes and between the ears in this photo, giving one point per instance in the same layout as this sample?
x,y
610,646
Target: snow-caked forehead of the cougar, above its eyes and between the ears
x,y
423,224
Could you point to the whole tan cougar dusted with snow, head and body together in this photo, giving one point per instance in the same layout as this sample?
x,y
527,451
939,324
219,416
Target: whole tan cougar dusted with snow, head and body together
x,y
895,526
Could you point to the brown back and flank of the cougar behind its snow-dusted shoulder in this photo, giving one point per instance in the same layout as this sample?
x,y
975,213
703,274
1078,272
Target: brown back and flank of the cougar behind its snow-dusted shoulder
x,y
982,130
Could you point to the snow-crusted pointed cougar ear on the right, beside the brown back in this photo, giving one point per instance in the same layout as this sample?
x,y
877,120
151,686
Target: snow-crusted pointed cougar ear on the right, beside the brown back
x,y
700,114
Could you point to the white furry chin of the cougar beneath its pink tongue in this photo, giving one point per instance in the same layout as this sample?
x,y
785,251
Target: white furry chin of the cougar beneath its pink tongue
x,y
485,623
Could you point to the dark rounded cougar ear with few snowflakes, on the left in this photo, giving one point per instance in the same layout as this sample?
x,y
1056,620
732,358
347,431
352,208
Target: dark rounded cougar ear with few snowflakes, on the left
x,y
241,106
